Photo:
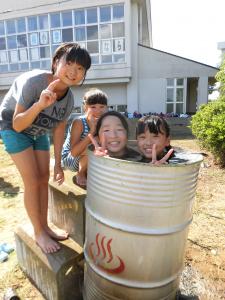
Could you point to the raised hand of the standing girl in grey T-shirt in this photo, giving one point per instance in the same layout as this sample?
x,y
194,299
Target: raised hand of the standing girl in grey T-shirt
x,y
48,96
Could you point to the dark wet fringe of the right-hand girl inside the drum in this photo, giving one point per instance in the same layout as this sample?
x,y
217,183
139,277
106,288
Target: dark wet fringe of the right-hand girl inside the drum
x,y
154,124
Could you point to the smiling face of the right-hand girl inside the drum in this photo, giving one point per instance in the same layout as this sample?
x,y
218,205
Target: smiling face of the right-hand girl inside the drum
x,y
146,140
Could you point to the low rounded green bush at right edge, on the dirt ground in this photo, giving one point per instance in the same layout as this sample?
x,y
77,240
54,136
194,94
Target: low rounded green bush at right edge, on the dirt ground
x,y
208,125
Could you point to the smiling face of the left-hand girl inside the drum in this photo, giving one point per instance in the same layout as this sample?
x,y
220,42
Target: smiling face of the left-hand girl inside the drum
x,y
113,135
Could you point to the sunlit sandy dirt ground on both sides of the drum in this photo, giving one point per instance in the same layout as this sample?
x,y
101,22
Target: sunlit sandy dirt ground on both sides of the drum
x,y
204,272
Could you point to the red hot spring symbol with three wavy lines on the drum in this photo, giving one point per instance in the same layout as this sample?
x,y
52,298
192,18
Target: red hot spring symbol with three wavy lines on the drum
x,y
101,253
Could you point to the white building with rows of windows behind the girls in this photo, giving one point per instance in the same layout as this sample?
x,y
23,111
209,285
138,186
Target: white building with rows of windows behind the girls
x,y
117,33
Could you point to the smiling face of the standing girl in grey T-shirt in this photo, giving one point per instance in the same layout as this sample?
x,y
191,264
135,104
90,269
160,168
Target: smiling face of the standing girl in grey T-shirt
x,y
70,73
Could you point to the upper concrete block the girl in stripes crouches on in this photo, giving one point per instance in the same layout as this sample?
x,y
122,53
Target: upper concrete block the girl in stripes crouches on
x,y
66,207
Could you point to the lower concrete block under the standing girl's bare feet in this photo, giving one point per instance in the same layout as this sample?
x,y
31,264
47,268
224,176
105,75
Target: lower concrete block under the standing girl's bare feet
x,y
57,276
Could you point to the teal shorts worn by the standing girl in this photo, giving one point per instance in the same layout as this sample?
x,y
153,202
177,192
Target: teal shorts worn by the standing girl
x,y
16,142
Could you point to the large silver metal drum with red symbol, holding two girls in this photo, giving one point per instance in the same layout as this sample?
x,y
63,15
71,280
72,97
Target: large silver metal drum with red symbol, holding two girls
x,y
137,219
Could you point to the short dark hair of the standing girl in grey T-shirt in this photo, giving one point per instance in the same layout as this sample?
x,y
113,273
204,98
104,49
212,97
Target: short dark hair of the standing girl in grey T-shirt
x,y
72,52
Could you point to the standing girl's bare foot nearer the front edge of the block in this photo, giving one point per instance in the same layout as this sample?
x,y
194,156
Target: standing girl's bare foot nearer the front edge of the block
x,y
46,244
